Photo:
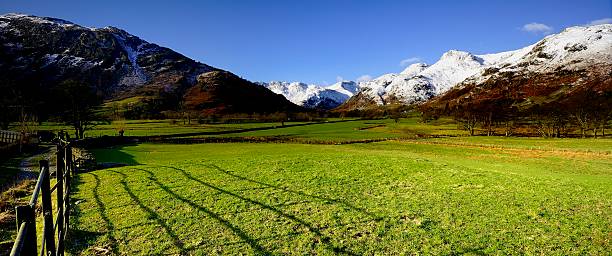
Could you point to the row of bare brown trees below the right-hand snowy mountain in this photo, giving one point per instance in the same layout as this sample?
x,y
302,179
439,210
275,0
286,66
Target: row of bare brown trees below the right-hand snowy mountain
x,y
585,114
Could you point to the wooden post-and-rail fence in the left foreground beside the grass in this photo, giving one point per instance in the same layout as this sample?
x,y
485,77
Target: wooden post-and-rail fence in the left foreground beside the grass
x,y
54,233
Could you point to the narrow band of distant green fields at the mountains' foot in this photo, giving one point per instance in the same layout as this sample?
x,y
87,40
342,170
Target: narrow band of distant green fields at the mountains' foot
x,y
334,130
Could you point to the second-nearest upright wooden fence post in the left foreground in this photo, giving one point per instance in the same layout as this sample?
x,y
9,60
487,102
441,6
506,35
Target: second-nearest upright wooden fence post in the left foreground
x,y
47,209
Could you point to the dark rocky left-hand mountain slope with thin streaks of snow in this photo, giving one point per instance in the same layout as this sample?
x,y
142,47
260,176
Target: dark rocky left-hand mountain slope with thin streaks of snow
x,y
47,51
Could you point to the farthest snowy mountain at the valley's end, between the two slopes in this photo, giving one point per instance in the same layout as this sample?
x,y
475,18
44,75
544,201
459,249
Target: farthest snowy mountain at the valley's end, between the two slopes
x,y
314,96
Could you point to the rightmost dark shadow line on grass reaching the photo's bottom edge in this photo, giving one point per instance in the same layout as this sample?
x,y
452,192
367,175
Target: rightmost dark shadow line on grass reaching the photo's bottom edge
x,y
325,239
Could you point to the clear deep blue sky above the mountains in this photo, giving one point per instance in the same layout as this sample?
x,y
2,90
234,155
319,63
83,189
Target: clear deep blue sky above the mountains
x,y
322,41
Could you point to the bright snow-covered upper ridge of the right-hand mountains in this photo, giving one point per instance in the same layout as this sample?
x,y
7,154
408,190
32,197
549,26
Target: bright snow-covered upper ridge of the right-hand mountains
x,y
576,47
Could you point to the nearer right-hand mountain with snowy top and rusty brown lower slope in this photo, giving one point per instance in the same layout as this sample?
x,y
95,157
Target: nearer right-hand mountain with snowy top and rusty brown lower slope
x,y
565,72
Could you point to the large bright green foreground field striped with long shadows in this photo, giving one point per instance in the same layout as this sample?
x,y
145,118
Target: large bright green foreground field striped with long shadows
x,y
472,195
